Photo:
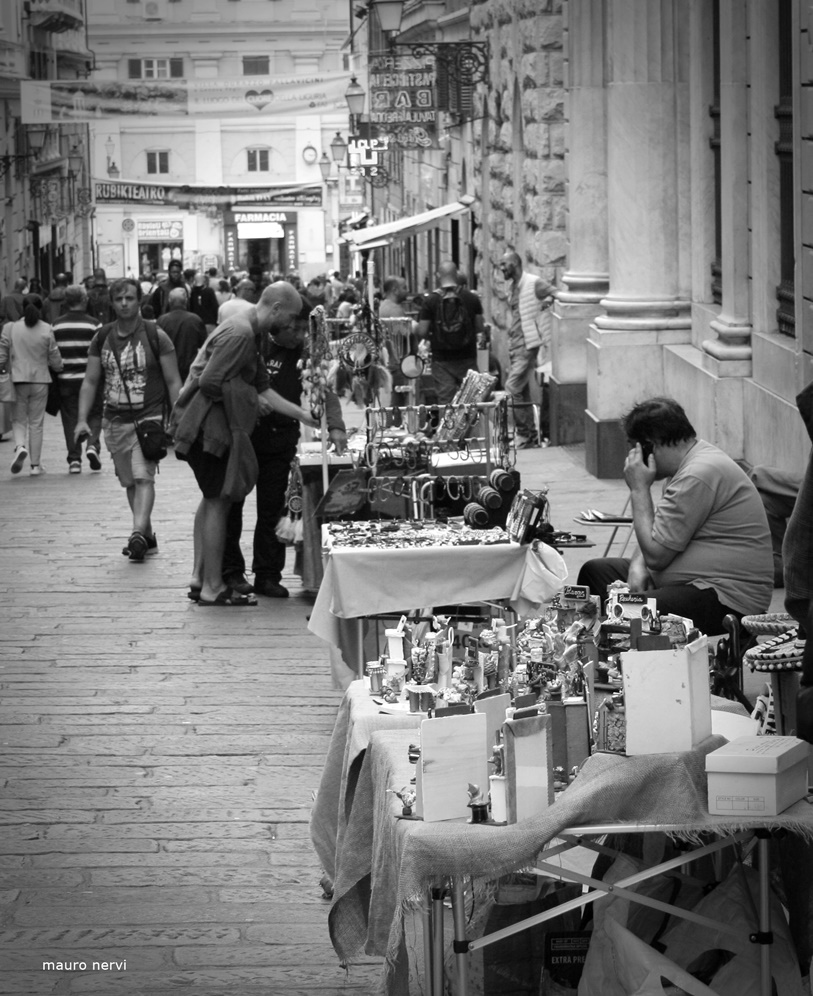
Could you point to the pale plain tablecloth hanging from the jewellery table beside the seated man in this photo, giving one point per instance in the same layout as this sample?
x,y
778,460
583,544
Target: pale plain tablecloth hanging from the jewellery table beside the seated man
x,y
364,581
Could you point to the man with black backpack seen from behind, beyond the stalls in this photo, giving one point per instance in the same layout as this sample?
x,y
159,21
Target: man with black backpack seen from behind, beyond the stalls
x,y
450,318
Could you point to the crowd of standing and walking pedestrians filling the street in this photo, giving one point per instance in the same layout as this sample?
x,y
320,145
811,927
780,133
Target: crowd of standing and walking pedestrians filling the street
x,y
212,365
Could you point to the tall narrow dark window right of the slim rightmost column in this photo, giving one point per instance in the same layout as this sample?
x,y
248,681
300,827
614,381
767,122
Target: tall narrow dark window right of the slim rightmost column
x,y
785,292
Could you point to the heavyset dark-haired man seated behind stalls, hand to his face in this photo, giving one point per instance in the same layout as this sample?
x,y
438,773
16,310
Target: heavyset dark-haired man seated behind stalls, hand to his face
x,y
704,550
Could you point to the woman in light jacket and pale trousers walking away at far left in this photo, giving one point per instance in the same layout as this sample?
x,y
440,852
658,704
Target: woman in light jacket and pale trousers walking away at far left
x,y
29,351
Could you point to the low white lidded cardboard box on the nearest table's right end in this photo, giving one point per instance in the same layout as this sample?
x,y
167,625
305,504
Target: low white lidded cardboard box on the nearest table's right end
x,y
757,776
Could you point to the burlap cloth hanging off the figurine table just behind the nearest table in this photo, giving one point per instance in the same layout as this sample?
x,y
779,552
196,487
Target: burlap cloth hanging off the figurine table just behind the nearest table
x,y
357,719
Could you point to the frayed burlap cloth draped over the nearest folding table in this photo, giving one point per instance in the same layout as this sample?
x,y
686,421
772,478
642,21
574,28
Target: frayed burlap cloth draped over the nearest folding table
x,y
386,865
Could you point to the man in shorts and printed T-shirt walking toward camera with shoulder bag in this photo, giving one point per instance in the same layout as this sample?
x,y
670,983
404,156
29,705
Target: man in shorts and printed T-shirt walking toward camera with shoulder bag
x,y
140,375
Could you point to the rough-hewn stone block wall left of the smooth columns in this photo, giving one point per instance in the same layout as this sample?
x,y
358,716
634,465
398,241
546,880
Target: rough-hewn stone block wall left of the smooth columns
x,y
520,178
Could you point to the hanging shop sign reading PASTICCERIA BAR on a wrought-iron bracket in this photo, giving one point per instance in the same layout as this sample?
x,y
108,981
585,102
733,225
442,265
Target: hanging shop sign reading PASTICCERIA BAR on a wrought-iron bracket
x,y
403,101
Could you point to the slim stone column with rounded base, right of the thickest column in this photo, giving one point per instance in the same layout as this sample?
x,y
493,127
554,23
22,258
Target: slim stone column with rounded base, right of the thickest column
x,y
729,355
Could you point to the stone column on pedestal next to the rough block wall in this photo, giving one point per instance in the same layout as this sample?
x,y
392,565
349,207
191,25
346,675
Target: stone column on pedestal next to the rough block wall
x,y
587,279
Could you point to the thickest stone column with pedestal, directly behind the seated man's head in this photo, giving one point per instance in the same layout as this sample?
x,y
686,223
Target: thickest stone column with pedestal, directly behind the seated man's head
x,y
647,307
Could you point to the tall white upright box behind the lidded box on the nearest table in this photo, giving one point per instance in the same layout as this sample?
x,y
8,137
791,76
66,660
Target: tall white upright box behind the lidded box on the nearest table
x,y
667,699
